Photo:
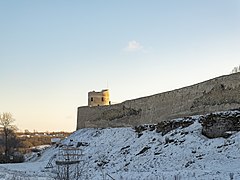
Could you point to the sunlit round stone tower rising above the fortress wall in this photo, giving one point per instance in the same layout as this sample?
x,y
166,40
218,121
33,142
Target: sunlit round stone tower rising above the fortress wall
x,y
99,98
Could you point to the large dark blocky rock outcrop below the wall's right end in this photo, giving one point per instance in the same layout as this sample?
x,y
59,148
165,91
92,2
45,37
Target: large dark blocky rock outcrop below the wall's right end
x,y
220,125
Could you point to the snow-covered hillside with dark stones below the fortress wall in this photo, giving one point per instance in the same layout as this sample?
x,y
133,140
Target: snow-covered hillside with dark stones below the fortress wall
x,y
121,153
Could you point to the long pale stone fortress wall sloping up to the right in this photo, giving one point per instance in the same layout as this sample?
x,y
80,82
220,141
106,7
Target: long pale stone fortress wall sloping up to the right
x,y
221,93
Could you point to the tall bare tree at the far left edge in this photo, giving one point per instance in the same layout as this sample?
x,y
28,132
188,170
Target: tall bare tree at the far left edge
x,y
8,129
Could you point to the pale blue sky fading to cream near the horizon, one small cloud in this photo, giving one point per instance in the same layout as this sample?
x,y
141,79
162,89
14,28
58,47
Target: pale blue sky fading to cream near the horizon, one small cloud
x,y
53,52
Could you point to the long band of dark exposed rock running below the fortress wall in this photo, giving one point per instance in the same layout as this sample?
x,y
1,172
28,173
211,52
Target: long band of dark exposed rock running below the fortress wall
x,y
214,125
